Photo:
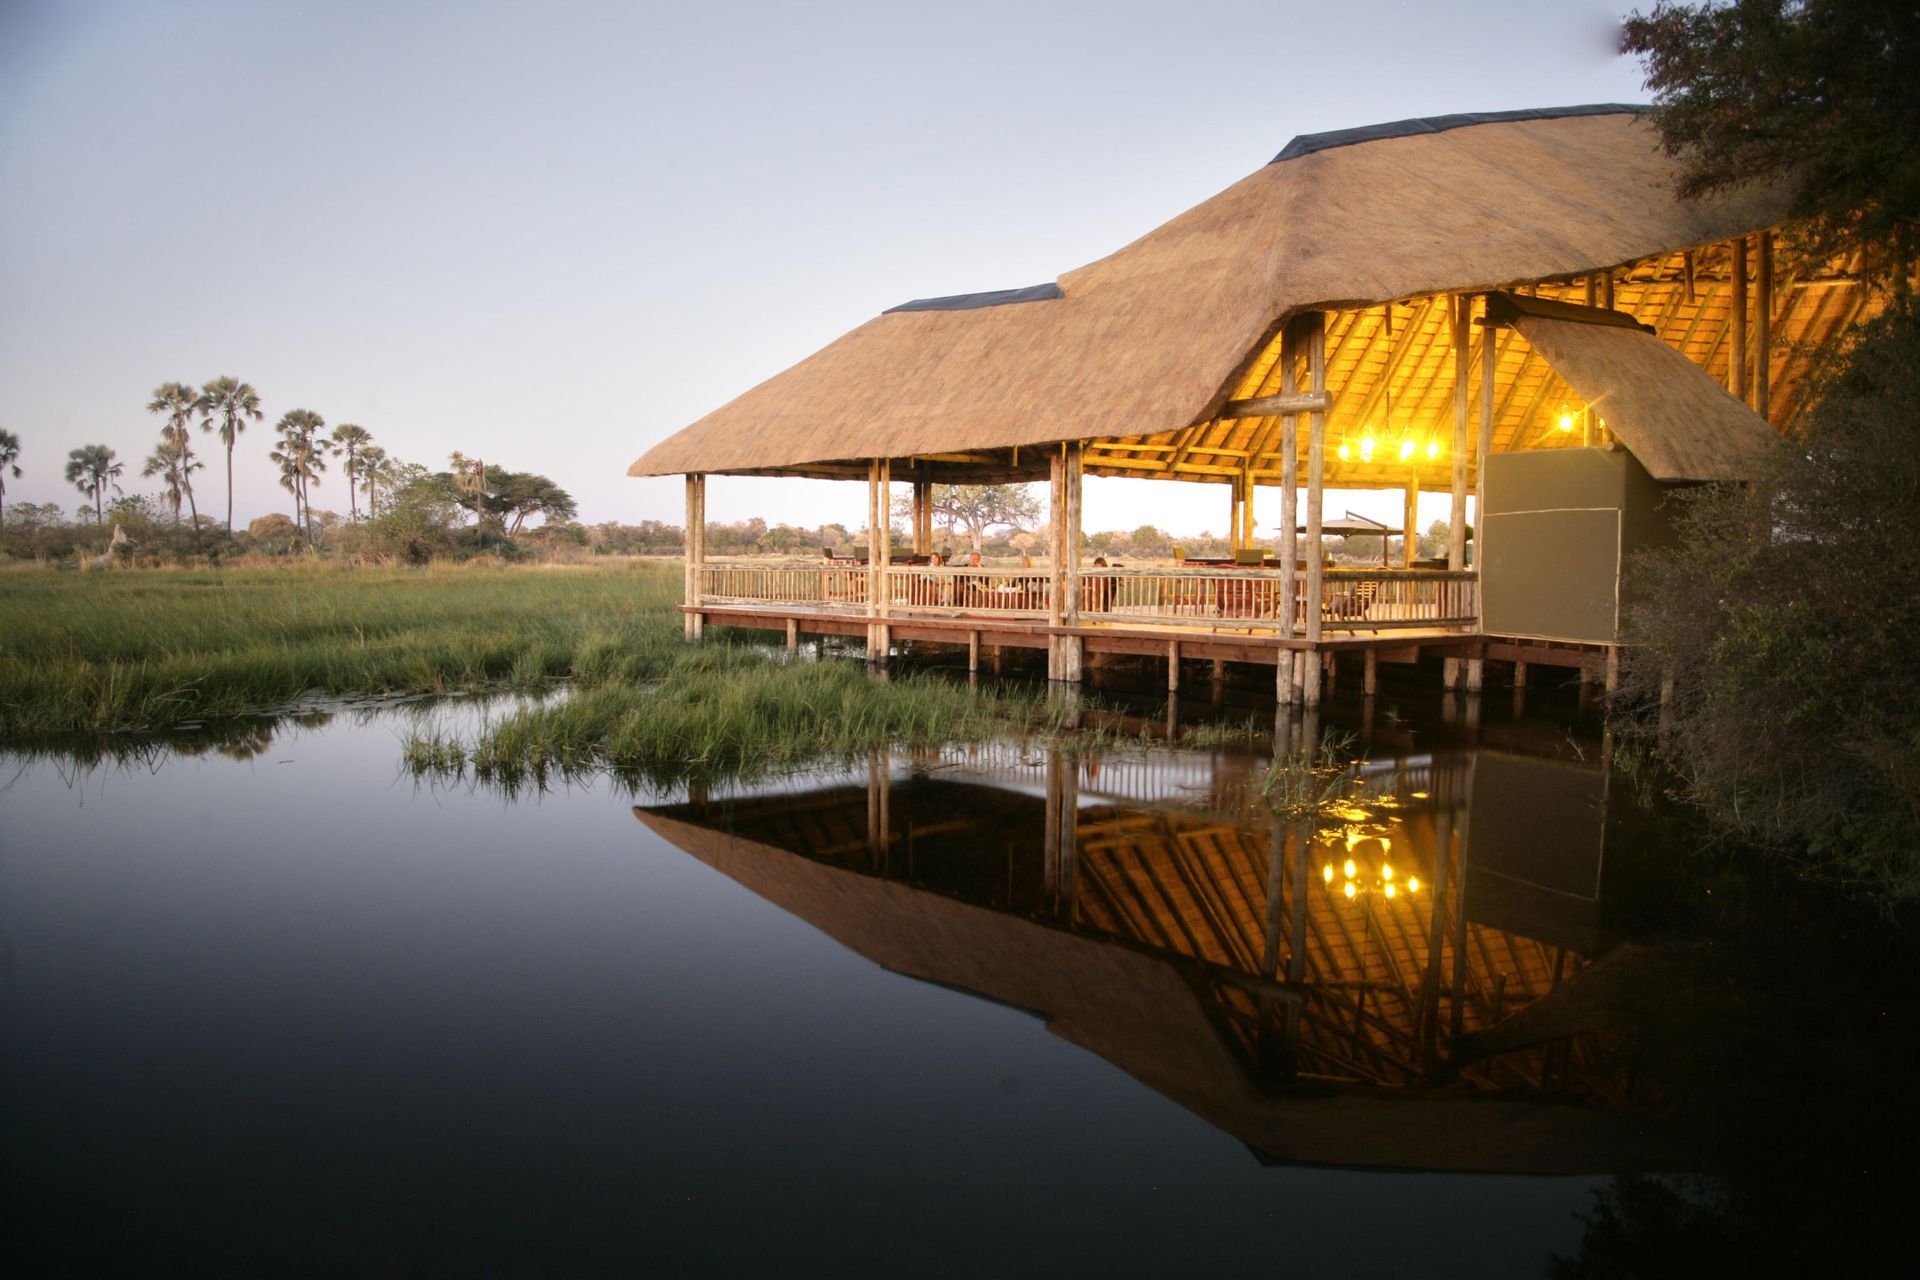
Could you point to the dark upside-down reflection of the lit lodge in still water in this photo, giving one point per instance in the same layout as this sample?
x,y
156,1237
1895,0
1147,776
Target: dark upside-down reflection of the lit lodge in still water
x,y
1337,989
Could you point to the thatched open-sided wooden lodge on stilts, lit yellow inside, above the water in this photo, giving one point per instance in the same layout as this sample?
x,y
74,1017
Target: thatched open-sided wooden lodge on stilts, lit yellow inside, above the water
x,y
1512,308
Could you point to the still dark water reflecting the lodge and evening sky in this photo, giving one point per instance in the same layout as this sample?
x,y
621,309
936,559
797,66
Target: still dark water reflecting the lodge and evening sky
x,y
287,1012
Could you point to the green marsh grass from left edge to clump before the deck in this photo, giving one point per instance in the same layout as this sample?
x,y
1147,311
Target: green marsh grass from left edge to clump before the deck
x,y
141,652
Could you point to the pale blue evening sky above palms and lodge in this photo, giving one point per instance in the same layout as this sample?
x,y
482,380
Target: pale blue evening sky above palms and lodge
x,y
550,235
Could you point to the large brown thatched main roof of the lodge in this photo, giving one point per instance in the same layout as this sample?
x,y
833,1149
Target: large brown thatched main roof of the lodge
x,y
1151,341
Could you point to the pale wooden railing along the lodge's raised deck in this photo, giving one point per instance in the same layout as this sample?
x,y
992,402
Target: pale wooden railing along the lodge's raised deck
x,y
1140,596
